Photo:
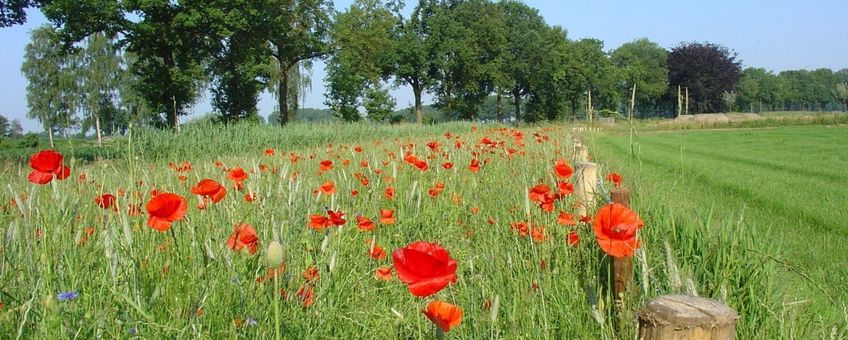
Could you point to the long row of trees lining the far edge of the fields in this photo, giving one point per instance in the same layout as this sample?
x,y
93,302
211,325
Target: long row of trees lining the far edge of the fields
x,y
114,62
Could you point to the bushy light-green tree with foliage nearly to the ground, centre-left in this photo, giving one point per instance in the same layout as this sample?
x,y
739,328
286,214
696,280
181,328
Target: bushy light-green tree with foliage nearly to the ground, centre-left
x,y
361,58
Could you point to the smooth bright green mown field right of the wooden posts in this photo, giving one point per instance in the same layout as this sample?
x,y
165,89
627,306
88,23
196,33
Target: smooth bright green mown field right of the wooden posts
x,y
788,184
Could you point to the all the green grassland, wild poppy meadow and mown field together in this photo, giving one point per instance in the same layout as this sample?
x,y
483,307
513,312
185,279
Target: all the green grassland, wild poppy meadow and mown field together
x,y
133,281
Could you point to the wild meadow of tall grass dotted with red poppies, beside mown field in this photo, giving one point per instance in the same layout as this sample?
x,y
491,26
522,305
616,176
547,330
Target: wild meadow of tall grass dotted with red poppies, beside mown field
x,y
341,231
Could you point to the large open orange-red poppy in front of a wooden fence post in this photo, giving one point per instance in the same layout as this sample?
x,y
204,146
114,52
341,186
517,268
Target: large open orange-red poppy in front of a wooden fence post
x,y
615,228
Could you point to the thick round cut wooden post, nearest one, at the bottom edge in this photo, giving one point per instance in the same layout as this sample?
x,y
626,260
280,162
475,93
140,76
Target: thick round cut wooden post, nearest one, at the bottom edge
x,y
686,317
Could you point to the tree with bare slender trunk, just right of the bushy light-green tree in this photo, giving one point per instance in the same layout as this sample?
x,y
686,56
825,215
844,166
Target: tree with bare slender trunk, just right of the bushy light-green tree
x,y
412,43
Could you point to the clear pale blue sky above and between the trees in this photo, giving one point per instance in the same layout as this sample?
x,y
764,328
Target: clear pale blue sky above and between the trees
x,y
776,35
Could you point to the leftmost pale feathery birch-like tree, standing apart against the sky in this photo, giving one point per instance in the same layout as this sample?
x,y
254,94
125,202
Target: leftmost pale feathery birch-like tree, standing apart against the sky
x,y
50,86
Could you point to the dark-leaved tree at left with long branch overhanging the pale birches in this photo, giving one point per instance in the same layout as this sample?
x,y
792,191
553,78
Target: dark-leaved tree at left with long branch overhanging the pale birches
x,y
169,38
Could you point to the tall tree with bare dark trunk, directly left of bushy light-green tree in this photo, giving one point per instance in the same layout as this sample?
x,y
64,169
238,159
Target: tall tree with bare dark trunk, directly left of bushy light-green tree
x,y
299,32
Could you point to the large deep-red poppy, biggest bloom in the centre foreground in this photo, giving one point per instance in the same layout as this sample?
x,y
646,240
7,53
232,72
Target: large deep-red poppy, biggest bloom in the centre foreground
x,y
426,268
